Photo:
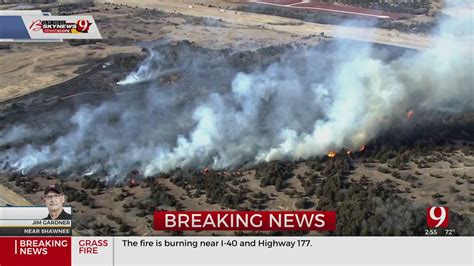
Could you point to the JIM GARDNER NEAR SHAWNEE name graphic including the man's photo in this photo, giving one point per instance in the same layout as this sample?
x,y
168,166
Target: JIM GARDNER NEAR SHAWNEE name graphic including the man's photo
x,y
52,220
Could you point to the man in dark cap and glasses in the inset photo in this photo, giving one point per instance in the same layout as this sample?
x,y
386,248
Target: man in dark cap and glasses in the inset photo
x,y
54,200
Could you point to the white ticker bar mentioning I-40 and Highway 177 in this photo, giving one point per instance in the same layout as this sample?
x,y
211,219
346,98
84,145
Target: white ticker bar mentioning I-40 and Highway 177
x,y
323,251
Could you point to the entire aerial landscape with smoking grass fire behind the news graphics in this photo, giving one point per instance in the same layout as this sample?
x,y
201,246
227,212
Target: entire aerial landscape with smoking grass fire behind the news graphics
x,y
361,107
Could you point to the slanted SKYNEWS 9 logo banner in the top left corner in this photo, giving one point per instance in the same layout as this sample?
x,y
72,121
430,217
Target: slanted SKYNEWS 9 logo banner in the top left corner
x,y
36,25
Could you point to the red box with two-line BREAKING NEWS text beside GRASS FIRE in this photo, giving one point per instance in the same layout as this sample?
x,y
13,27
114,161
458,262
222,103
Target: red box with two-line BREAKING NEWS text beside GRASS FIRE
x,y
23,251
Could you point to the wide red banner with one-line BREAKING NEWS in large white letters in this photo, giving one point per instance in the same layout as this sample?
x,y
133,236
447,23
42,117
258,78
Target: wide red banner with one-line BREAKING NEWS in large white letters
x,y
245,220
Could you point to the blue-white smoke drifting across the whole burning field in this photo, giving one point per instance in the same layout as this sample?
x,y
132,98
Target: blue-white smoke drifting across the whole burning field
x,y
311,102
